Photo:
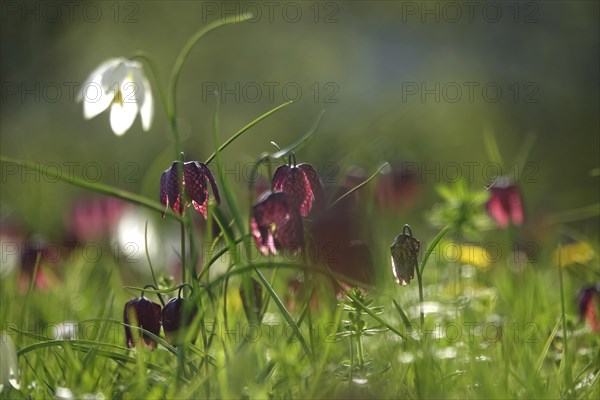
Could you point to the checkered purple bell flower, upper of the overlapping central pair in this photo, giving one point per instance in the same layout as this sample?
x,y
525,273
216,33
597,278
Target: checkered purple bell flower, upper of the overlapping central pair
x,y
302,184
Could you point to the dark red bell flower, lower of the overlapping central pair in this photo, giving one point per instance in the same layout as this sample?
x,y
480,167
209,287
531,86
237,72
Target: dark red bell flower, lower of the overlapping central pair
x,y
276,223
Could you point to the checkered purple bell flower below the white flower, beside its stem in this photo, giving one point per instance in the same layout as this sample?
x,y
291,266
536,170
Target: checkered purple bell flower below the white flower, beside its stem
x,y
194,187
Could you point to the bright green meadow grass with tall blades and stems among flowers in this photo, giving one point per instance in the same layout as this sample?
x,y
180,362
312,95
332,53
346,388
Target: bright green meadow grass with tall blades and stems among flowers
x,y
505,330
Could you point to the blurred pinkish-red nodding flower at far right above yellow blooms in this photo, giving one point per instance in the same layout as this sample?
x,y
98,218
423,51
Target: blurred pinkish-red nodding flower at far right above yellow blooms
x,y
505,203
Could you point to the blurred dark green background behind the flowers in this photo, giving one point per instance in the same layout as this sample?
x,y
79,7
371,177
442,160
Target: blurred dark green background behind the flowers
x,y
358,60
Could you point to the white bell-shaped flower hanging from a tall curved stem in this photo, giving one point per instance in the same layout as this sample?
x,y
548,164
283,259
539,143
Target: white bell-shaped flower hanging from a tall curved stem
x,y
120,84
